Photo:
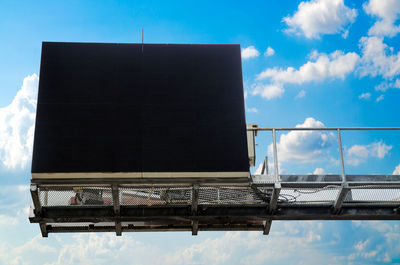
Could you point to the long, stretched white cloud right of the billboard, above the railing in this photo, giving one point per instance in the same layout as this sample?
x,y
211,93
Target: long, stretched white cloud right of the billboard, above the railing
x,y
320,67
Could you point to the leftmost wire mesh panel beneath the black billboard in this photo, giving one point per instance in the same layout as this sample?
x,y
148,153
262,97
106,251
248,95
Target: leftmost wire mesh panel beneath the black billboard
x,y
75,196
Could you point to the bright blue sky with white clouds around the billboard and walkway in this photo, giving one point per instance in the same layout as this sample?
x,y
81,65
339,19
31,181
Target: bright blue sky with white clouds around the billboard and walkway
x,y
306,63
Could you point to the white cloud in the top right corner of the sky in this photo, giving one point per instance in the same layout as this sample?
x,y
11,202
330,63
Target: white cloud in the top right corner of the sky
x,y
387,12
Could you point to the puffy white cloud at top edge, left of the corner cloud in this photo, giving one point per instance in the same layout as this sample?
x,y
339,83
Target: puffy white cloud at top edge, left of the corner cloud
x,y
318,17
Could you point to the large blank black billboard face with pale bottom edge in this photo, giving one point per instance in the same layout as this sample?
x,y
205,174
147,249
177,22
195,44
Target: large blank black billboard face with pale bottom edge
x,y
140,109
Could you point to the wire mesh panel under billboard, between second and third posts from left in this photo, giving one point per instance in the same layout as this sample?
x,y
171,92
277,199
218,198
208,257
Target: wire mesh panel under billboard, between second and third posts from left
x,y
155,195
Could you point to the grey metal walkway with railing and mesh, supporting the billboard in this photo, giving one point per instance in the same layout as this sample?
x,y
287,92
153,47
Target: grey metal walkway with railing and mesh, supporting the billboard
x,y
138,205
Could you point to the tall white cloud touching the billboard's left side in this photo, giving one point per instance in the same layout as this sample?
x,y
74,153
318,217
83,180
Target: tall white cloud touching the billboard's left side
x,y
17,126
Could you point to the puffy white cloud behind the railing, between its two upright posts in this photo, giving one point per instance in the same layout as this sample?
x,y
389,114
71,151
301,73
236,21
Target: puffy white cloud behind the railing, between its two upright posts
x,y
304,146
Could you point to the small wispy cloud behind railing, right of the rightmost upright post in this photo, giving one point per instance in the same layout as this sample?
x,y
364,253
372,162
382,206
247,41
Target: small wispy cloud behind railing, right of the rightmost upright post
x,y
360,153
